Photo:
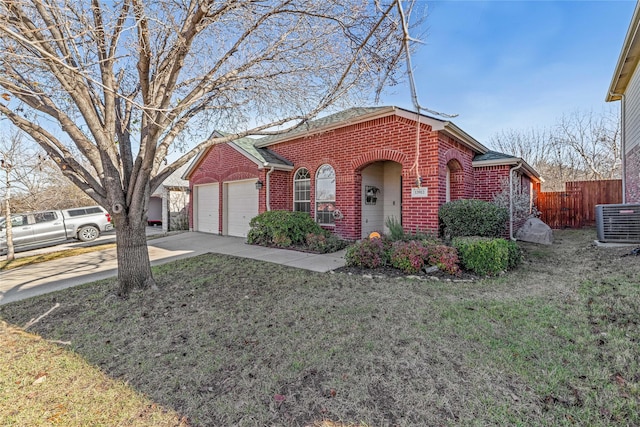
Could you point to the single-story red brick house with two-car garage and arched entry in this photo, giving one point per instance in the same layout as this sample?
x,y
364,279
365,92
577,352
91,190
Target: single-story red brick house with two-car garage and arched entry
x,y
351,171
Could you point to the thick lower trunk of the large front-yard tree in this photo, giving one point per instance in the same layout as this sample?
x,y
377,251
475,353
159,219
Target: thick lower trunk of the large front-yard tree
x,y
134,266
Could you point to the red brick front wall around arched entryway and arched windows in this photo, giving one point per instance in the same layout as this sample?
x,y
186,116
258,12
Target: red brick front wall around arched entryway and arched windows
x,y
351,148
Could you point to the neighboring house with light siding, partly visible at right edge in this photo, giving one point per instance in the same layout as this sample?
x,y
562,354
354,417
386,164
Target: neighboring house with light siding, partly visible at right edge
x,y
625,87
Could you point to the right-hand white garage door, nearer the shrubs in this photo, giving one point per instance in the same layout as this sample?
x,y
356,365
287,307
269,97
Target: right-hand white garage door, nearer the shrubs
x,y
242,205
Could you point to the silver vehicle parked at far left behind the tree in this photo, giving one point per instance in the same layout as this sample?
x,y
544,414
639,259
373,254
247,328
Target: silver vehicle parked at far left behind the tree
x,y
37,229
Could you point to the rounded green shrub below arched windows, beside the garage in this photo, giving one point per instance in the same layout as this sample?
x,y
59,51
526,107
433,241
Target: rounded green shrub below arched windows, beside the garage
x,y
282,228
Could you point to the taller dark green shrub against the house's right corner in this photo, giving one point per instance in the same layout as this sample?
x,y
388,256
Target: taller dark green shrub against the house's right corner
x,y
472,218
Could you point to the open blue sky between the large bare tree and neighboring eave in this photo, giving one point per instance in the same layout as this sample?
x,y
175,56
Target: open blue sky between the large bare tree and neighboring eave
x,y
516,64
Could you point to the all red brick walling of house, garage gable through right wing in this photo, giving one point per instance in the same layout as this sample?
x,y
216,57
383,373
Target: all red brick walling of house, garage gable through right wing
x,y
349,150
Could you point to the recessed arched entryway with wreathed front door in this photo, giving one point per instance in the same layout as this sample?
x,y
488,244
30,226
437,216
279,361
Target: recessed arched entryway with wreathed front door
x,y
381,195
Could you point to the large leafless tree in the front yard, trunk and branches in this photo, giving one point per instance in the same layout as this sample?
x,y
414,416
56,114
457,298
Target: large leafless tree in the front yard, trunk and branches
x,y
127,81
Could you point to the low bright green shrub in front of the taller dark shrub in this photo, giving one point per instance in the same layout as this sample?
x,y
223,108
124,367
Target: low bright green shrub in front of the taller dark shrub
x,y
486,256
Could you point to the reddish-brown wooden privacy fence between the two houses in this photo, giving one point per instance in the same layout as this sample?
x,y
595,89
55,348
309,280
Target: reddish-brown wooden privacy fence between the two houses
x,y
575,207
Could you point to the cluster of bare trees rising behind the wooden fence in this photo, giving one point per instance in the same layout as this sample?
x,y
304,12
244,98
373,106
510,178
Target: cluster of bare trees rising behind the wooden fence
x,y
580,146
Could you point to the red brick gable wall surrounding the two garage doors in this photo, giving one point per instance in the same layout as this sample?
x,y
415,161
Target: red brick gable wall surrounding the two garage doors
x,y
221,164
